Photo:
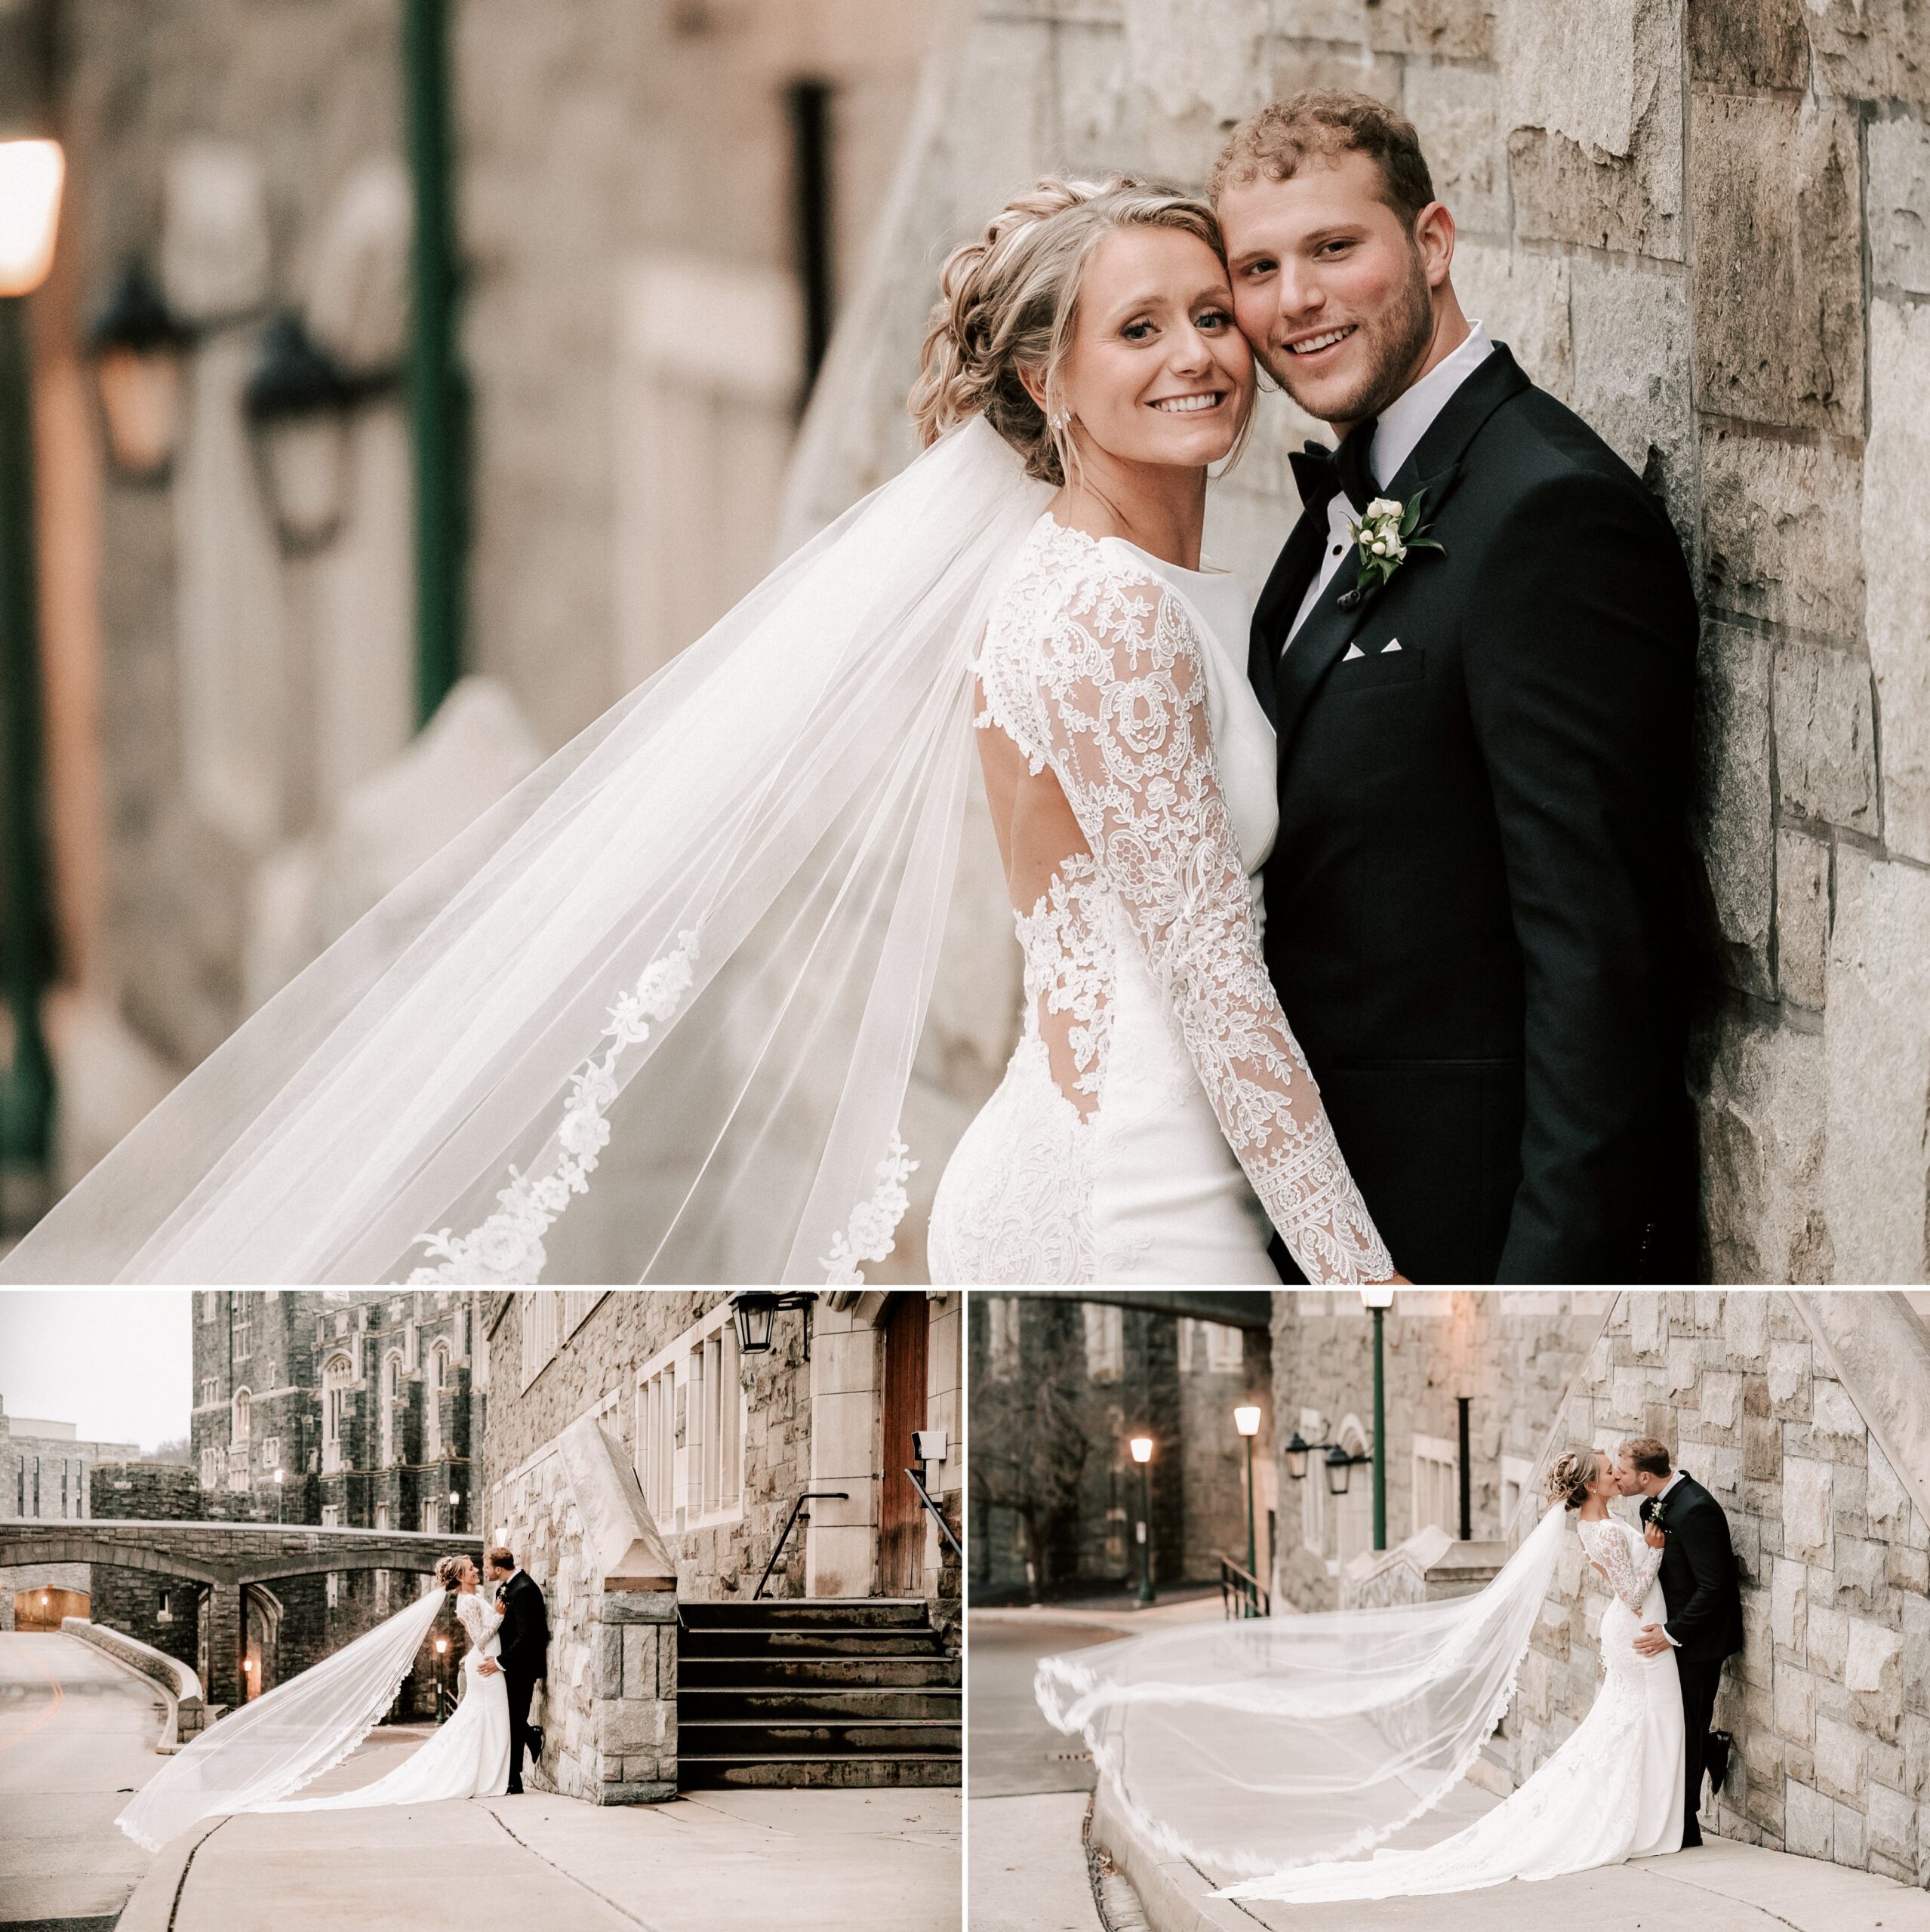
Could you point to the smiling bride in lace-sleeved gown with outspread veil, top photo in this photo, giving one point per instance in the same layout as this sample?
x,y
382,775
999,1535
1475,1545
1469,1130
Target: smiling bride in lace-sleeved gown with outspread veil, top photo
x,y
656,1015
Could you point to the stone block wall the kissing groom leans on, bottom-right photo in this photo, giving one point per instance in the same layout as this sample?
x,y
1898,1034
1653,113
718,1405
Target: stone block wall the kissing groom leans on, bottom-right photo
x,y
1831,1697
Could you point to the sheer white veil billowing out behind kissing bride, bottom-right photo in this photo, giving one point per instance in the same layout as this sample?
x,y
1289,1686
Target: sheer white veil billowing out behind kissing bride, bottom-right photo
x,y
1253,1747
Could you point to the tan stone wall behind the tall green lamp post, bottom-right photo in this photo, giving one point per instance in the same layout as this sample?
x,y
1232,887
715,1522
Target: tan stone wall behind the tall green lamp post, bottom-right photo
x,y
1512,1353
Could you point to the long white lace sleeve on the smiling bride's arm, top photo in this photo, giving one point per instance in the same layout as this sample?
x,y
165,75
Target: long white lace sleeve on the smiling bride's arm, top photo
x,y
1123,708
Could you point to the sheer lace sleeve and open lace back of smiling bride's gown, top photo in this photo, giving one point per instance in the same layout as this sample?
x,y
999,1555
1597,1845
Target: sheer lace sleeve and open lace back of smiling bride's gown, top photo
x,y
1096,673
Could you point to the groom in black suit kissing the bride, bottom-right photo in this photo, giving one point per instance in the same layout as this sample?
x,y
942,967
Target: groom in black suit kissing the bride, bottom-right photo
x,y
1699,1587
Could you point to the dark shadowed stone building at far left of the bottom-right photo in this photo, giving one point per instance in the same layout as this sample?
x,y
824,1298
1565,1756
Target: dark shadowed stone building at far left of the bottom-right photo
x,y
1060,1512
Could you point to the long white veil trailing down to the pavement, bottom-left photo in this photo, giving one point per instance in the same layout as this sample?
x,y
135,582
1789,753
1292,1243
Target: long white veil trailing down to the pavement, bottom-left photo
x,y
287,1738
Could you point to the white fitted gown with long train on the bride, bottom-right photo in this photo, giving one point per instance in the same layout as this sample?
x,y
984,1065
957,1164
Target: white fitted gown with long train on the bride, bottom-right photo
x,y
1612,1792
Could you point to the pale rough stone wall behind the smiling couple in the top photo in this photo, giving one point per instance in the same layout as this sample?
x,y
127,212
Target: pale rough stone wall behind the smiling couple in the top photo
x,y
1703,225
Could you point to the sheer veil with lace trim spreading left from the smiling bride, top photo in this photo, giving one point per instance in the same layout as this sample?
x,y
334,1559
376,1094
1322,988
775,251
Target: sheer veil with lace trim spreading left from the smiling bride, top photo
x,y
695,952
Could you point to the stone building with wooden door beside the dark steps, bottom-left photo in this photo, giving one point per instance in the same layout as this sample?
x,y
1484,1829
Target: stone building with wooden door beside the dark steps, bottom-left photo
x,y
639,1456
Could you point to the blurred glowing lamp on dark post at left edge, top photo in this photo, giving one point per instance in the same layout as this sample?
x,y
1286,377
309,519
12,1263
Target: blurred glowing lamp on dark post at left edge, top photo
x,y
30,213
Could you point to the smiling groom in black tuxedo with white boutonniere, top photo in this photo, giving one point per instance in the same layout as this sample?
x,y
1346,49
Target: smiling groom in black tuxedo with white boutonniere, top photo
x,y
1475,903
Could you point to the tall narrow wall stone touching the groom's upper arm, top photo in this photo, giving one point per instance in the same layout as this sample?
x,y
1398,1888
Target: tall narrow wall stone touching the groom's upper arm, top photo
x,y
1734,801
